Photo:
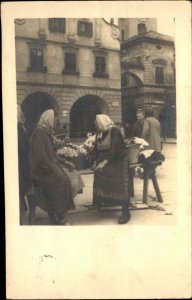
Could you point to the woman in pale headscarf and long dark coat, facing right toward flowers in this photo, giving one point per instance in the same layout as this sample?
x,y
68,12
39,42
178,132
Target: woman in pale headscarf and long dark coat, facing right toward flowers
x,y
47,172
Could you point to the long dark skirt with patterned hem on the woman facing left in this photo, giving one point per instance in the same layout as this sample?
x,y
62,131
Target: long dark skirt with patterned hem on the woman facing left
x,y
111,184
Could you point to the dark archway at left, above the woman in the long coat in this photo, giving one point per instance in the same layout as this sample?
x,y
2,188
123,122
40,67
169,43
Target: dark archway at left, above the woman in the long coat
x,y
34,105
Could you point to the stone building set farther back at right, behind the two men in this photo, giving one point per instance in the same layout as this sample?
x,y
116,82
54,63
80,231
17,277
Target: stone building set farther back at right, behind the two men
x,y
147,72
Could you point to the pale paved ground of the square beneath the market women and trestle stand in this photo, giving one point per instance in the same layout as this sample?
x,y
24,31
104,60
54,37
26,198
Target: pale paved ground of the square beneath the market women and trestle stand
x,y
158,213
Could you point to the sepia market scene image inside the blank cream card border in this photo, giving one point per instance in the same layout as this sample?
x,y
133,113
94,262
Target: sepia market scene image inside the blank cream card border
x,y
96,120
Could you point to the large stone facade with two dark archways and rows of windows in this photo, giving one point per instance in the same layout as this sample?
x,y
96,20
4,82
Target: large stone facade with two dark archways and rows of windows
x,y
70,65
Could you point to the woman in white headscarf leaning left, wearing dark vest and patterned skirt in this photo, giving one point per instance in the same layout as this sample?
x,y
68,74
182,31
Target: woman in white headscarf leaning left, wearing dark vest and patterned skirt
x,y
111,170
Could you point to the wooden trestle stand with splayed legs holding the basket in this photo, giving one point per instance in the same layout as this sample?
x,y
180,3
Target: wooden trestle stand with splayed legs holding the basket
x,y
149,172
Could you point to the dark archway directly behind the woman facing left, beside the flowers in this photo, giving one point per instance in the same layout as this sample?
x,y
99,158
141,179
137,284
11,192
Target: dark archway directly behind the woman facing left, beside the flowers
x,y
83,114
